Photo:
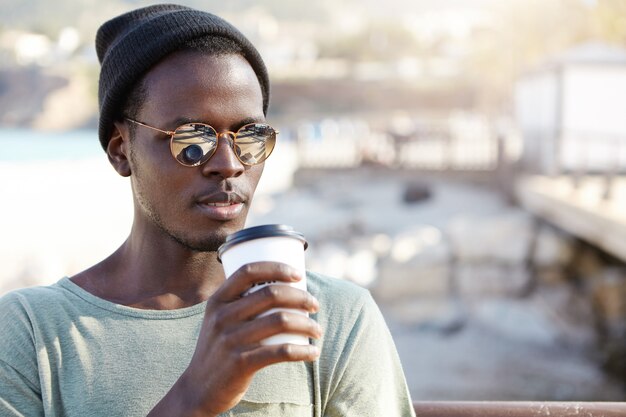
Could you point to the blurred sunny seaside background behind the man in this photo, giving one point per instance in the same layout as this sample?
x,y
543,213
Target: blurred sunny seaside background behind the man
x,y
463,160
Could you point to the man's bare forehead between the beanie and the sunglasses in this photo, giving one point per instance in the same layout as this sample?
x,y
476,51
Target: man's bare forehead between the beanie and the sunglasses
x,y
200,87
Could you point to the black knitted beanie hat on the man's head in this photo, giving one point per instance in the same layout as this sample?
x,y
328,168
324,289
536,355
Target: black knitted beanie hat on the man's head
x,y
132,43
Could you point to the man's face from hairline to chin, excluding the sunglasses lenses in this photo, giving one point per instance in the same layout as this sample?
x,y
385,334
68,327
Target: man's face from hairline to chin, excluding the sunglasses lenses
x,y
195,206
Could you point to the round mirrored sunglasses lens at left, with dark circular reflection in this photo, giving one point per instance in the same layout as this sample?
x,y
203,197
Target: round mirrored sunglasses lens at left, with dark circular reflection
x,y
194,143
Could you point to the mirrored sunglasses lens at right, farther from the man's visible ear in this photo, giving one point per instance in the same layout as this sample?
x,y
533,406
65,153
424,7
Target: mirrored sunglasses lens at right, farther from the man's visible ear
x,y
254,143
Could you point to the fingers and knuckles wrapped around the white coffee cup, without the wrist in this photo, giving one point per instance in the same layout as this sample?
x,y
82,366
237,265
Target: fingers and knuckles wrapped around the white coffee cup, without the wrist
x,y
237,325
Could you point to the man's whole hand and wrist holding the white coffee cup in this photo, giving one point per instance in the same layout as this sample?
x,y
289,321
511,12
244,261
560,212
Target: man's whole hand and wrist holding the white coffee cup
x,y
229,352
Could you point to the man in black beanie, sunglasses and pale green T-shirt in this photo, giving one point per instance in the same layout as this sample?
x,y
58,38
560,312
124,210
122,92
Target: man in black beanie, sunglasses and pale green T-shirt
x,y
156,329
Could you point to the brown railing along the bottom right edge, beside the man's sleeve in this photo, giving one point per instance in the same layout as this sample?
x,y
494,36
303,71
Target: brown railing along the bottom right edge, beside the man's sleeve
x,y
518,409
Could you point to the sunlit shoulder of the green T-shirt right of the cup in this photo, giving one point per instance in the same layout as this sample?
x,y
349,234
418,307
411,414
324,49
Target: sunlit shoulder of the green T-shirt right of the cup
x,y
359,368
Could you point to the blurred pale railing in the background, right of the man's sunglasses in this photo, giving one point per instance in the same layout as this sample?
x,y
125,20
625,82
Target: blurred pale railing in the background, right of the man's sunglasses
x,y
433,145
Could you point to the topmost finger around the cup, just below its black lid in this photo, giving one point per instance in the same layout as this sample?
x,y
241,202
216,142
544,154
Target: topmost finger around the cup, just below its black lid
x,y
255,273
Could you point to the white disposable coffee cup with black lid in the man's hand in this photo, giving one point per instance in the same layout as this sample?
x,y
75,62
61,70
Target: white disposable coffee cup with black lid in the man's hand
x,y
273,243
